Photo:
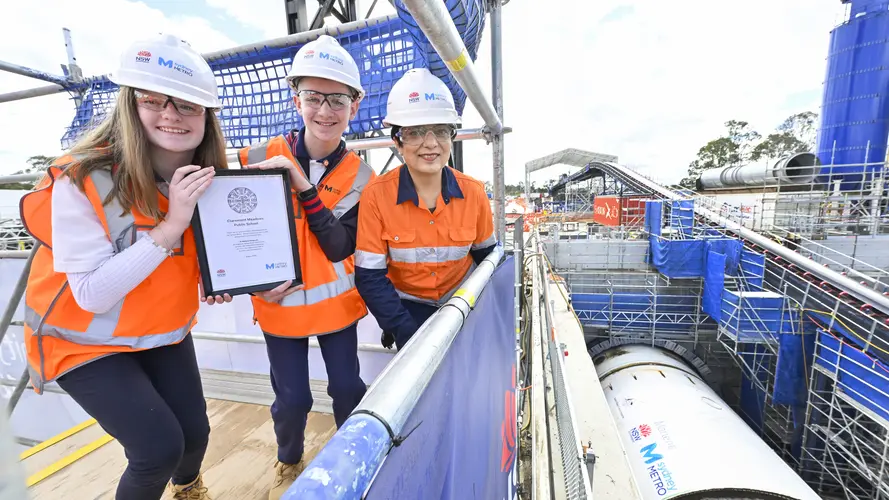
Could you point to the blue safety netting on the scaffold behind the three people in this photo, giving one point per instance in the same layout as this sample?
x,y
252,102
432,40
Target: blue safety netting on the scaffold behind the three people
x,y
257,102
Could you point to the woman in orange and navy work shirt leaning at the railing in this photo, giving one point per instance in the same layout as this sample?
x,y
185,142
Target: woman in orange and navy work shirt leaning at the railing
x,y
423,225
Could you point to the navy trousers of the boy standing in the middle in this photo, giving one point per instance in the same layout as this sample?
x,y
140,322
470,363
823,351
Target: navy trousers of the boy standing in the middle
x,y
289,369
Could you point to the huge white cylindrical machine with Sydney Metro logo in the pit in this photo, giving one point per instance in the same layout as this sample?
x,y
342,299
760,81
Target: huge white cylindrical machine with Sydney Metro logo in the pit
x,y
681,439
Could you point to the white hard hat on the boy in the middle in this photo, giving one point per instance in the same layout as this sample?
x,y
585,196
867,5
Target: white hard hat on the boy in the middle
x,y
325,58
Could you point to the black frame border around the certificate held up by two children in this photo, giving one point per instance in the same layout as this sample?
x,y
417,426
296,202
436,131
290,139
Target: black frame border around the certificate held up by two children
x,y
210,289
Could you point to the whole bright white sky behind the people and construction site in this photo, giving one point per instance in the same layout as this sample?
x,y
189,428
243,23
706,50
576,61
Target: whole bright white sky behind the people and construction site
x,y
646,80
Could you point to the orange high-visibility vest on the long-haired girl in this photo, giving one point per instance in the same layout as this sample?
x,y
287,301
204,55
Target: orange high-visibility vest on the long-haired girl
x,y
59,335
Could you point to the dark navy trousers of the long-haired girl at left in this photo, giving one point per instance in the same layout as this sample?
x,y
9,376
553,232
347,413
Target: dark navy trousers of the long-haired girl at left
x,y
153,403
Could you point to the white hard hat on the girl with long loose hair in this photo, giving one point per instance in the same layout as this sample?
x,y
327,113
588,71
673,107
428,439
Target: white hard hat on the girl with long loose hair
x,y
168,65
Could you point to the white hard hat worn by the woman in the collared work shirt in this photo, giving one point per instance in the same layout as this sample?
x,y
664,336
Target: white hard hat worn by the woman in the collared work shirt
x,y
420,98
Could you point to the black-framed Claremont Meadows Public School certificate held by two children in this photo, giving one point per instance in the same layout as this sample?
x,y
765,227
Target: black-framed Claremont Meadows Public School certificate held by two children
x,y
245,233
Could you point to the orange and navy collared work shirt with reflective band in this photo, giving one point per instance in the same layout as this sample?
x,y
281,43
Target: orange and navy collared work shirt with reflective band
x,y
425,255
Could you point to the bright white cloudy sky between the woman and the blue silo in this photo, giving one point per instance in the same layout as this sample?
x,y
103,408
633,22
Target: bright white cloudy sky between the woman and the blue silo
x,y
650,81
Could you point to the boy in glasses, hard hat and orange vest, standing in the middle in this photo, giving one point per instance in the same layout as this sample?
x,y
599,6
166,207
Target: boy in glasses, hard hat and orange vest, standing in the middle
x,y
327,182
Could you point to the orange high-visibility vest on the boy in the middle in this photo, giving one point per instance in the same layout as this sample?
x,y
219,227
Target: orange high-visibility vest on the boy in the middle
x,y
329,301
